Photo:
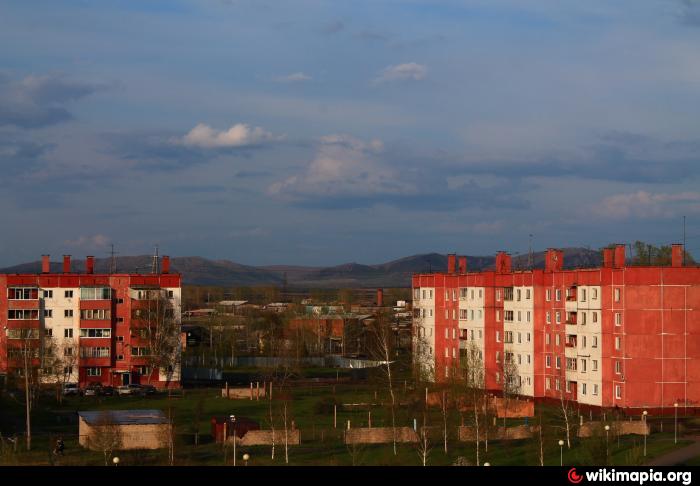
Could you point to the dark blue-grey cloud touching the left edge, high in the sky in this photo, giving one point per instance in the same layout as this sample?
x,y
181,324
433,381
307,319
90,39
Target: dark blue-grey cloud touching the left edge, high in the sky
x,y
39,101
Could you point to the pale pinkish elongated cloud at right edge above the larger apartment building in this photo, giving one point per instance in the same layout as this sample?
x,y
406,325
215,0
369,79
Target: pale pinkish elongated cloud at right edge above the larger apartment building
x,y
648,205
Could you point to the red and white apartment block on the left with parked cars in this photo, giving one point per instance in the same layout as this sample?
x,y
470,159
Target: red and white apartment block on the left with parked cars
x,y
92,320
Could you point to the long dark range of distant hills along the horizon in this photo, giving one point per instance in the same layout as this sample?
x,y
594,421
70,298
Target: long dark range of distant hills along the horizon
x,y
396,273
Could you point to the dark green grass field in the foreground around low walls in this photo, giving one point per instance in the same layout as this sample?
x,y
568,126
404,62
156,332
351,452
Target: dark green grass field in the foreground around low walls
x,y
311,408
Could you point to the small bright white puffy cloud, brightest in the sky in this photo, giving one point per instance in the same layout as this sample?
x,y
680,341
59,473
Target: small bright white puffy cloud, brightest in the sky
x,y
239,135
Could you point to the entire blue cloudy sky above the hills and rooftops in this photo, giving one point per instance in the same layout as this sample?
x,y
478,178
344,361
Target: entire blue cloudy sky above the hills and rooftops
x,y
318,132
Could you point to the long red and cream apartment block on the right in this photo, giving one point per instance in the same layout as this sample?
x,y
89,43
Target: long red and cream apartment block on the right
x,y
615,336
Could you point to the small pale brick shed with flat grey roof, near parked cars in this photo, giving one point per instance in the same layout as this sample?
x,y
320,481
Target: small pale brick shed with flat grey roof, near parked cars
x,y
123,429
